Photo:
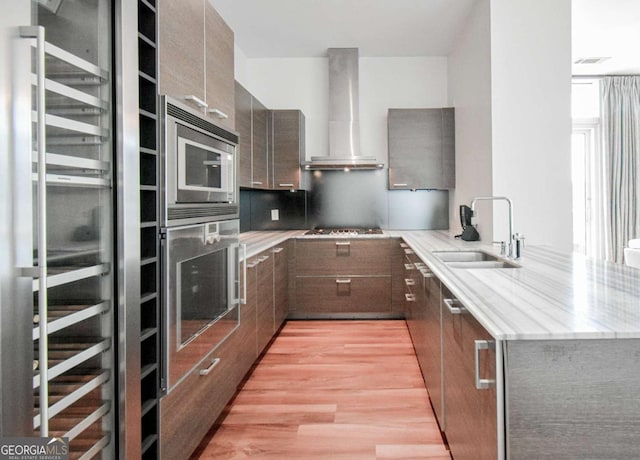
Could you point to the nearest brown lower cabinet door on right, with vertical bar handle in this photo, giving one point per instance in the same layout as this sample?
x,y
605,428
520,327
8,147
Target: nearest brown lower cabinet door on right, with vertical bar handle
x,y
471,417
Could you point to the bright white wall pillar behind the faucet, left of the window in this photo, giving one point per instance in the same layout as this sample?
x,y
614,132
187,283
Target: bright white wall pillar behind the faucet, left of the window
x,y
531,117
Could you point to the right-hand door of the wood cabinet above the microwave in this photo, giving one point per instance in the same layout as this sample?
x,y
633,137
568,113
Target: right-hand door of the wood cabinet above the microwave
x,y
219,67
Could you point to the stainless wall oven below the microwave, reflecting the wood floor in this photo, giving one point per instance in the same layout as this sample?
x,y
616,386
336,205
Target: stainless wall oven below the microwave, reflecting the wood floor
x,y
201,293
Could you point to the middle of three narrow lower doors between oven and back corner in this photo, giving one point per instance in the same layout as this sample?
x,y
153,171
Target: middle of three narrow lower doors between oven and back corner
x,y
264,304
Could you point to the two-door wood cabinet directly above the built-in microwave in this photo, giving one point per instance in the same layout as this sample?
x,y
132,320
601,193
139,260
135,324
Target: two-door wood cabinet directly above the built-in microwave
x,y
195,49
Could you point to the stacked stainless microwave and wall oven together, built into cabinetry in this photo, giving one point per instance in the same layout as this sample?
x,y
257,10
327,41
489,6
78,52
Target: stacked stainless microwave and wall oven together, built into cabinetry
x,y
199,237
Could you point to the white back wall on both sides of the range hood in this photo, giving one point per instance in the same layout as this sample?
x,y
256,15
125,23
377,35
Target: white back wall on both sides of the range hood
x,y
384,83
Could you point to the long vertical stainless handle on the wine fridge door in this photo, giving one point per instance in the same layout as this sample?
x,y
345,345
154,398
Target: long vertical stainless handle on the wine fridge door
x,y
37,32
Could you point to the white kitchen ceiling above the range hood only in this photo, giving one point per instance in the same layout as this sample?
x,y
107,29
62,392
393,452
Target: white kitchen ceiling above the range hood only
x,y
306,28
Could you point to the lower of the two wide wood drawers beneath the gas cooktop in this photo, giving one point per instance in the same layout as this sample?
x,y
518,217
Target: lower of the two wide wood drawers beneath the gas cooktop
x,y
343,294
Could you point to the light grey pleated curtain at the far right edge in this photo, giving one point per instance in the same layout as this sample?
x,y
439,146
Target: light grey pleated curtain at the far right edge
x,y
620,102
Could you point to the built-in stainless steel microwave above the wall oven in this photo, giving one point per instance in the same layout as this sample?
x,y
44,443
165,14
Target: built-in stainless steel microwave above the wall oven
x,y
199,167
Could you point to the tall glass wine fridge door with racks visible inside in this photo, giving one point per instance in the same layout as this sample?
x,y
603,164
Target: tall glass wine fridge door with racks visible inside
x,y
73,294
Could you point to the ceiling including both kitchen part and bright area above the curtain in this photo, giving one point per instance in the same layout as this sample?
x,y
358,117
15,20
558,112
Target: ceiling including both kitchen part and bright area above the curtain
x,y
306,28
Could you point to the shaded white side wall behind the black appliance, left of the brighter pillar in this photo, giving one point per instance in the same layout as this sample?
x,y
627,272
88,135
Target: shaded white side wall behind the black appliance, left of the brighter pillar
x,y
470,94
